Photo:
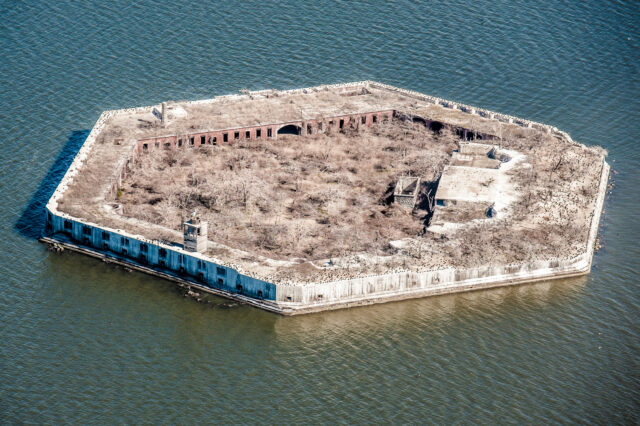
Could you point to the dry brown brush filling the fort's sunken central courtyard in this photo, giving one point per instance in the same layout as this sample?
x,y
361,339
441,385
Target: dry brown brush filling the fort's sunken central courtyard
x,y
310,197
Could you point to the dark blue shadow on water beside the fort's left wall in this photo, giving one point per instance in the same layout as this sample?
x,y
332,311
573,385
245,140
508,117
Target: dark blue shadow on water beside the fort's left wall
x,y
31,222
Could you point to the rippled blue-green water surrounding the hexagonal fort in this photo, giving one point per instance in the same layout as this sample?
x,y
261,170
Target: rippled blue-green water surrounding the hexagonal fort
x,y
83,342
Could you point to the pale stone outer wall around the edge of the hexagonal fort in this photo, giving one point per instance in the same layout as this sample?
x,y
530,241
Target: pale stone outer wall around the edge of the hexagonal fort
x,y
228,280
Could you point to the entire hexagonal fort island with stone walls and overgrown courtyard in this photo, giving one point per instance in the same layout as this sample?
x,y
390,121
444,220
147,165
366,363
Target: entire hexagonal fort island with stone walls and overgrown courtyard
x,y
331,197
